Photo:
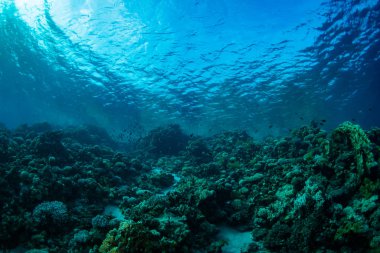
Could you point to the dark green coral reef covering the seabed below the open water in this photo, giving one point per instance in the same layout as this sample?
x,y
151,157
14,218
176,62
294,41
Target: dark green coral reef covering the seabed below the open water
x,y
74,190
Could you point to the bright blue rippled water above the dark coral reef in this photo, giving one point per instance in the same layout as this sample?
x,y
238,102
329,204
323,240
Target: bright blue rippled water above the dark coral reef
x,y
262,66
